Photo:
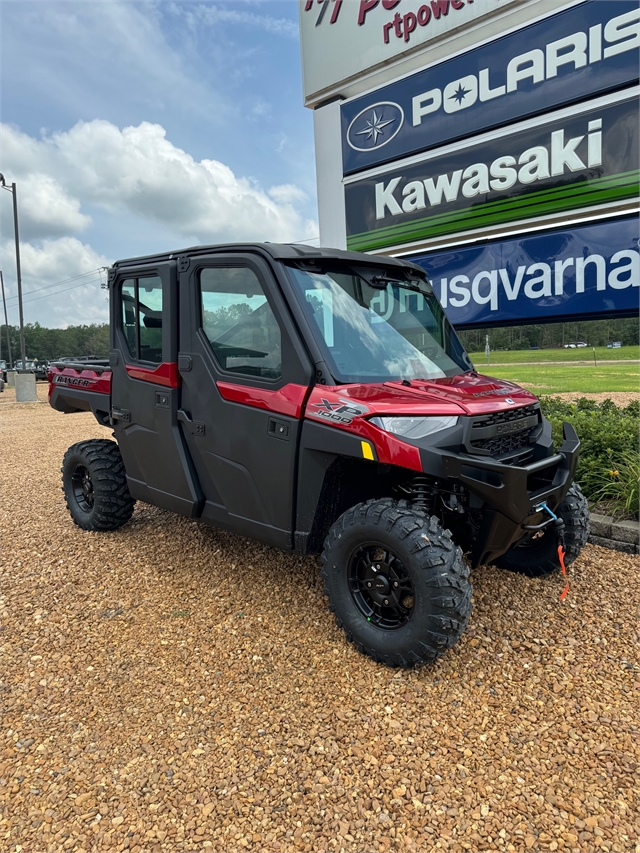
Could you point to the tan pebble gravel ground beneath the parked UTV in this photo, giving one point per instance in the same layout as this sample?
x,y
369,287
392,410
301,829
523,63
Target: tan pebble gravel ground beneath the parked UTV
x,y
171,687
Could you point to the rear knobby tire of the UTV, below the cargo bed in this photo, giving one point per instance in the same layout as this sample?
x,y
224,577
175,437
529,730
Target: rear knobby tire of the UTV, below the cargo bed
x,y
95,485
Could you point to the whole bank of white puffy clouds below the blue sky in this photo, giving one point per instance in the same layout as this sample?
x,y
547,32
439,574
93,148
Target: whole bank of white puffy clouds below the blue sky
x,y
135,175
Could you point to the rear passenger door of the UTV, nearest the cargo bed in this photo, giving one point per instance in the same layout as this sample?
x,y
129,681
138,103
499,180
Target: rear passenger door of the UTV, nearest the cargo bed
x,y
145,388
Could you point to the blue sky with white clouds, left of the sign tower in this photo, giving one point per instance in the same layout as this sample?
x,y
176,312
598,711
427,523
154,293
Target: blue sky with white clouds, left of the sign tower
x,y
136,127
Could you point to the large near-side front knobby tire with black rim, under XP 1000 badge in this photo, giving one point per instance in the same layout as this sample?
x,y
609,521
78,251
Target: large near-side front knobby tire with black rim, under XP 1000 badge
x,y
429,591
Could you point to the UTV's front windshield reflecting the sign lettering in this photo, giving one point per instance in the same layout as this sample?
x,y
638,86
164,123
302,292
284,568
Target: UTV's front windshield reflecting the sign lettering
x,y
373,334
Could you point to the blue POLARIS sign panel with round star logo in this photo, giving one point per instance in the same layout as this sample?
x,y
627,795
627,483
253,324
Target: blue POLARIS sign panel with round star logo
x,y
588,49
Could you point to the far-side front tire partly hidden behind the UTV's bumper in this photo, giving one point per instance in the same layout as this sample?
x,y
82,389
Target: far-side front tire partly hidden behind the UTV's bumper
x,y
538,557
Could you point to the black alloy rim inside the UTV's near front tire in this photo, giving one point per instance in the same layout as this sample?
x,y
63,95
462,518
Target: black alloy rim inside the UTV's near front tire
x,y
381,587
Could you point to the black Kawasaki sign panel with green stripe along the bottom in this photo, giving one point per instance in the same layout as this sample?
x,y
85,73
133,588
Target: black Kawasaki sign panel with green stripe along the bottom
x,y
583,159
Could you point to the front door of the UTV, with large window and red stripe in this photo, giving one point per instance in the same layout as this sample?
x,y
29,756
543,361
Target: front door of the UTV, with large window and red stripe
x,y
245,377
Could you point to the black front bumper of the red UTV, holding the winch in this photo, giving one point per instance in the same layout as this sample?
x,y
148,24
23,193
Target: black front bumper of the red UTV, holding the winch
x,y
511,494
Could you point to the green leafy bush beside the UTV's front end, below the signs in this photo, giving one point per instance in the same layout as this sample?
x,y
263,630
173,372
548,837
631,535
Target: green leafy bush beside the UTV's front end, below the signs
x,y
609,442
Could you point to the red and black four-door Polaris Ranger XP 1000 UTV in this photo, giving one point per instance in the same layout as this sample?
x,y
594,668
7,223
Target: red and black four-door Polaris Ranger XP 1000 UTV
x,y
319,401
